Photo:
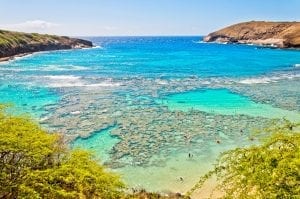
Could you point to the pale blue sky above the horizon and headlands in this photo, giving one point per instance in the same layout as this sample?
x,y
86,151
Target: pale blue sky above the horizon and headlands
x,y
139,17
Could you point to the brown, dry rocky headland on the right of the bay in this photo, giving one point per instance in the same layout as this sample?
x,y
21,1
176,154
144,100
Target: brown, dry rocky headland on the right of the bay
x,y
277,34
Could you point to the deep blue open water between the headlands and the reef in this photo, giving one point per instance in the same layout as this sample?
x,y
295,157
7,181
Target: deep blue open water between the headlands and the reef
x,y
161,57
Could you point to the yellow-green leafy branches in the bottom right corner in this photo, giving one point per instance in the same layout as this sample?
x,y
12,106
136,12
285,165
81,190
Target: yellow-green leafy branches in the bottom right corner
x,y
268,170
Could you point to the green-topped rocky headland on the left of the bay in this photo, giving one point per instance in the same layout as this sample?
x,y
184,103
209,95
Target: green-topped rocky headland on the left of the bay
x,y
16,43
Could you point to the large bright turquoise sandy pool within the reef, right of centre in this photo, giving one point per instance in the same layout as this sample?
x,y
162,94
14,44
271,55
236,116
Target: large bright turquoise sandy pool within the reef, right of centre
x,y
224,102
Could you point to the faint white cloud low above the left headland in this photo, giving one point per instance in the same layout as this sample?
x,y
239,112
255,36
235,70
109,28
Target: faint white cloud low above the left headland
x,y
39,26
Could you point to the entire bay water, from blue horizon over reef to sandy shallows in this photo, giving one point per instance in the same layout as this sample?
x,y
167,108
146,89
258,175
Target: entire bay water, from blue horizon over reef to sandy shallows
x,y
155,109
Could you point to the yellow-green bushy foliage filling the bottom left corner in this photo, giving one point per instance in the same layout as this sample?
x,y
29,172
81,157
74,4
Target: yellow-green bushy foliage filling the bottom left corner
x,y
35,164
